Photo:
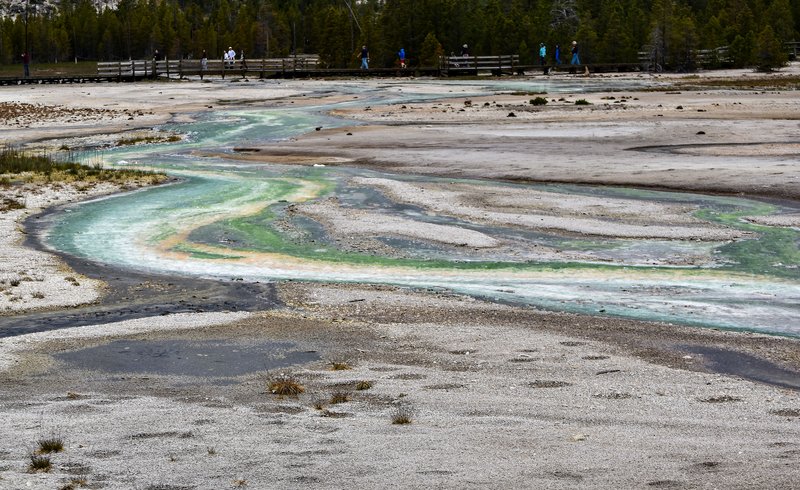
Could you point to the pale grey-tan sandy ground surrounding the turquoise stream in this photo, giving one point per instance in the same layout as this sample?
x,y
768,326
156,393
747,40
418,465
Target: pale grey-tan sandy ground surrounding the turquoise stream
x,y
497,396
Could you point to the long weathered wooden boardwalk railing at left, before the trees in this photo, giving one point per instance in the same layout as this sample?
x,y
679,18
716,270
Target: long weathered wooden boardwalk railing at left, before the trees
x,y
180,68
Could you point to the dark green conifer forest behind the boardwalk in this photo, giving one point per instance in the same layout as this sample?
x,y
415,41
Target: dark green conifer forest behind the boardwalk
x,y
606,31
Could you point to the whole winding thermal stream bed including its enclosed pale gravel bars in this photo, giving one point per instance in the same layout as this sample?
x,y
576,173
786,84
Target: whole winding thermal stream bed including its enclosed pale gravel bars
x,y
681,258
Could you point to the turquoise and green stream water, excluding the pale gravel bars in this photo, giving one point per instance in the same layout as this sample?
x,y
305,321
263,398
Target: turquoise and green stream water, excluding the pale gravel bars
x,y
229,220
